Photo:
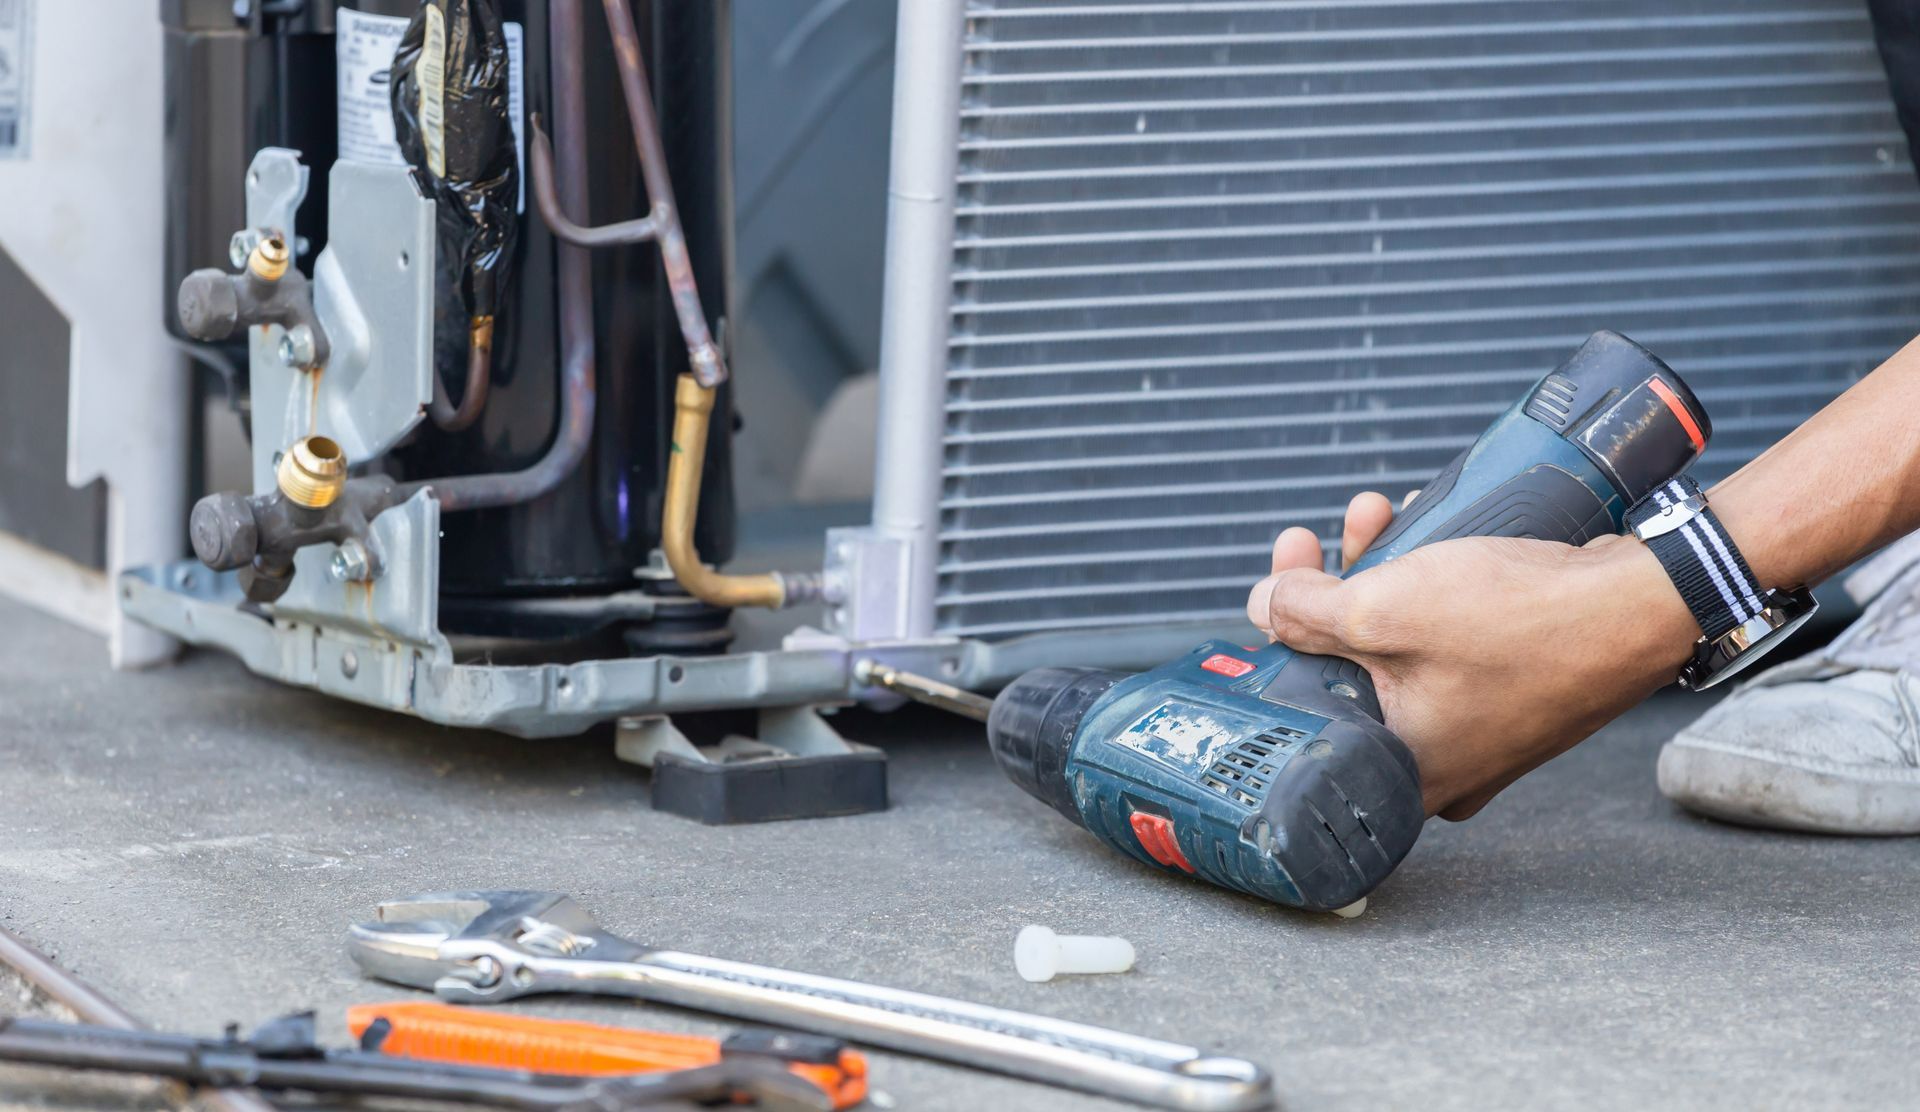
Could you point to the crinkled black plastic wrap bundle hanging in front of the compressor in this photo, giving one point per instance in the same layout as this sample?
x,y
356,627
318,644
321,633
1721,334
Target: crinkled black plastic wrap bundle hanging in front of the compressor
x,y
464,149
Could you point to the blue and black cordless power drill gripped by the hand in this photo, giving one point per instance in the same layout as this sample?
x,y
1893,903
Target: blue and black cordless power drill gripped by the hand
x,y
1270,771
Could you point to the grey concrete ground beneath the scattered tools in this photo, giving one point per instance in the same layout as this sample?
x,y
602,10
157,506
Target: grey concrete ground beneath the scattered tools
x,y
195,842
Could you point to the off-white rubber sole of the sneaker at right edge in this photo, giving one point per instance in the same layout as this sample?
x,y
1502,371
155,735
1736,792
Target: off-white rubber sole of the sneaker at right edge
x,y
1752,790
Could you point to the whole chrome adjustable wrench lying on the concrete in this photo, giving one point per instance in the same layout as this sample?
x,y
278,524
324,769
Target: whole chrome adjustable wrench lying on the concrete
x,y
481,948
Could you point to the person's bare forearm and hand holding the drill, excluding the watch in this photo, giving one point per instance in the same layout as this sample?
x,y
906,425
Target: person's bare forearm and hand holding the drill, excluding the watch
x,y
1493,656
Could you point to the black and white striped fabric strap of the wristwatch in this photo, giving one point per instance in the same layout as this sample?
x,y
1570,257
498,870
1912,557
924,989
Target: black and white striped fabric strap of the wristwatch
x,y
1696,552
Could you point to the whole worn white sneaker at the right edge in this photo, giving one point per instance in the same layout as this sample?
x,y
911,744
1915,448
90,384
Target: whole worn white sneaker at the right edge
x,y
1829,742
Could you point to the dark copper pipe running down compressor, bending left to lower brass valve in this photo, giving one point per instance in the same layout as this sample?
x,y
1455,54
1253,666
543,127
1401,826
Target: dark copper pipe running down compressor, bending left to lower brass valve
x,y
577,302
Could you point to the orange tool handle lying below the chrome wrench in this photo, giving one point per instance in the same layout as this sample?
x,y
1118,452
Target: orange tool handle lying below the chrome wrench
x,y
473,1038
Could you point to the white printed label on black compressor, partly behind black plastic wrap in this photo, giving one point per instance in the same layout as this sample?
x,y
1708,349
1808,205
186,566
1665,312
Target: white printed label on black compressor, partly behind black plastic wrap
x,y
364,55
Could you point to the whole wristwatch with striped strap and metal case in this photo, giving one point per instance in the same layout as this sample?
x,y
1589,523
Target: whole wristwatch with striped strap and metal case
x,y
1739,621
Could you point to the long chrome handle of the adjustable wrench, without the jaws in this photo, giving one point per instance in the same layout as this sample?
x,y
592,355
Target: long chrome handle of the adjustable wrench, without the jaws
x,y
1017,1044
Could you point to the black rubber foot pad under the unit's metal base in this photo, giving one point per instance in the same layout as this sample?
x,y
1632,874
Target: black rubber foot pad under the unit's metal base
x,y
773,788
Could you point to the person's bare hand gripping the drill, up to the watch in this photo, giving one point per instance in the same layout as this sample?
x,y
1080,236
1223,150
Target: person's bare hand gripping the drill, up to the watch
x,y
1491,656
